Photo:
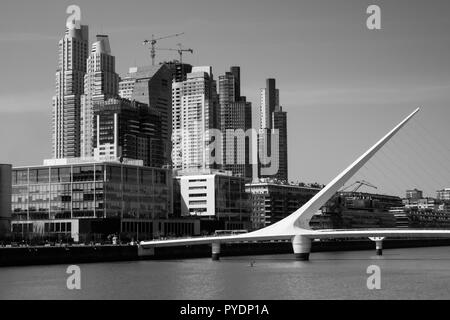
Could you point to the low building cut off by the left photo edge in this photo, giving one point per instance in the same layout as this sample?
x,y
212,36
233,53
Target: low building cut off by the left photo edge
x,y
5,198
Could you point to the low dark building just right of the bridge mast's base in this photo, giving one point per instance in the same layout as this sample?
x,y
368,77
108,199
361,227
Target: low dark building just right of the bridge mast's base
x,y
357,210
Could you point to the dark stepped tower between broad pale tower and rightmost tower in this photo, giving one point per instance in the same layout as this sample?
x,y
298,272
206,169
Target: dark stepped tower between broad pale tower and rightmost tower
x,y
235,114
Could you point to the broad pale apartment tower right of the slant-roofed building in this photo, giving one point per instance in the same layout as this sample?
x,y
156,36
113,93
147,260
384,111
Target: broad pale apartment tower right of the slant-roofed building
x,y
194,112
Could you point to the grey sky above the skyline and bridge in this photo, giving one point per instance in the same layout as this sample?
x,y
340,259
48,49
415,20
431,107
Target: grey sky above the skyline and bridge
x,y
343,86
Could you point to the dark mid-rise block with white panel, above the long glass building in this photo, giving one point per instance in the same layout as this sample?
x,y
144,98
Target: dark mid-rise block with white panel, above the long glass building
x,y
128,129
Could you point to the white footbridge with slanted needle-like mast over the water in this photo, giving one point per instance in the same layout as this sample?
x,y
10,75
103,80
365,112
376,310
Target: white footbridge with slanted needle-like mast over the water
x,y
296,227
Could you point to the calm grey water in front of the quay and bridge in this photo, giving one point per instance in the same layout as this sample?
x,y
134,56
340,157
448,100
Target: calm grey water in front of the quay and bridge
x,y
422,273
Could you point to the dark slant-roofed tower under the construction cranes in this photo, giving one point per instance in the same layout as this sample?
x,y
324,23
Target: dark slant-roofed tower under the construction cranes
x,y
152,85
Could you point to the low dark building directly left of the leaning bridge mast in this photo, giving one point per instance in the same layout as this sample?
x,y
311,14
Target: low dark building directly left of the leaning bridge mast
x,y
272,202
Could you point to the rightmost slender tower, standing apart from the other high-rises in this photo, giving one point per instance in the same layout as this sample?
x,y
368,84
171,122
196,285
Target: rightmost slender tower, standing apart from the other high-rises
x,y
272,118
